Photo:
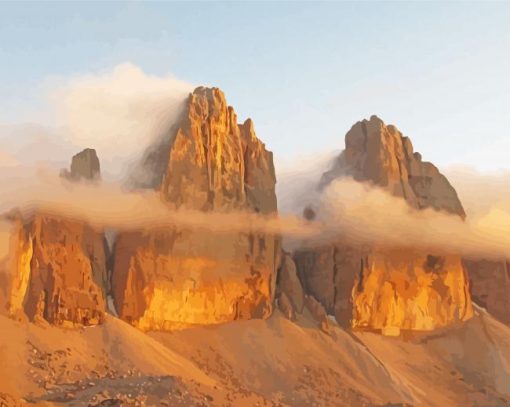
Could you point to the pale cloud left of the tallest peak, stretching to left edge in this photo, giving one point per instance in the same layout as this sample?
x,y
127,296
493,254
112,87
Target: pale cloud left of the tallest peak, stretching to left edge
x,y
120,113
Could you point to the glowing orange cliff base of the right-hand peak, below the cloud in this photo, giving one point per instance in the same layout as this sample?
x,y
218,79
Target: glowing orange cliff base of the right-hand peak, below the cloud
x,y
396,290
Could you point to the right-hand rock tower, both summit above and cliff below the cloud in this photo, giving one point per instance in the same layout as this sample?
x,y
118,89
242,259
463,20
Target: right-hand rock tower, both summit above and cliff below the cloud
x,y
372,287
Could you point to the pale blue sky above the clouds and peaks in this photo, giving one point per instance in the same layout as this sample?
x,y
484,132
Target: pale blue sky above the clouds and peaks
x,y
305,72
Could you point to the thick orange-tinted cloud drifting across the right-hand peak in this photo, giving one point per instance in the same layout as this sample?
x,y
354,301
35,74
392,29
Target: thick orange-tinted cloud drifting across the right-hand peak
x,y
358,213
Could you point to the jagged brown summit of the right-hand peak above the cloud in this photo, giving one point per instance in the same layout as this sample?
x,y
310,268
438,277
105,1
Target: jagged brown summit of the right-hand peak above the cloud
x,y
381,154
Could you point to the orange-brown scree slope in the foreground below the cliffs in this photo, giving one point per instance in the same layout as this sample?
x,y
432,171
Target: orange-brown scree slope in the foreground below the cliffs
x,y
271,362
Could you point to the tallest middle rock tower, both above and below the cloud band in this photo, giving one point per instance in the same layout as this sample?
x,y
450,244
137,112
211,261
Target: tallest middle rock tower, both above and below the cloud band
x,y
165,278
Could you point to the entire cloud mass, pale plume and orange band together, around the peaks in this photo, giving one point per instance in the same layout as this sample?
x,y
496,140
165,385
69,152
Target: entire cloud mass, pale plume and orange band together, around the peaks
x,y
122,112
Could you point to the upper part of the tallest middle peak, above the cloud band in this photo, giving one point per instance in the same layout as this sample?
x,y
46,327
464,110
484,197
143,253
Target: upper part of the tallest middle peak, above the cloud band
x,y
228,166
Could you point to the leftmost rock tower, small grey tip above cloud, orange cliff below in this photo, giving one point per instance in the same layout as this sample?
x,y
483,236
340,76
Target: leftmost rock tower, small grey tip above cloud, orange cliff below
x,y
59,267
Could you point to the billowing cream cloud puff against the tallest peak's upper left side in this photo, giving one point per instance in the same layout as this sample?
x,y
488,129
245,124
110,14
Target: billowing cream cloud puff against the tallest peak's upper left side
x,y
118,112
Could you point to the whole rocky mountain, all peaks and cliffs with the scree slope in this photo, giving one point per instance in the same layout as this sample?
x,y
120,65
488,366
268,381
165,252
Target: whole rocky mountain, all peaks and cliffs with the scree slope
x,y
191,317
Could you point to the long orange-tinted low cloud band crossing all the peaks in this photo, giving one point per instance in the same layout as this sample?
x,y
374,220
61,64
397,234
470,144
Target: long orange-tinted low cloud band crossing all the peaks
x,y
346,211
